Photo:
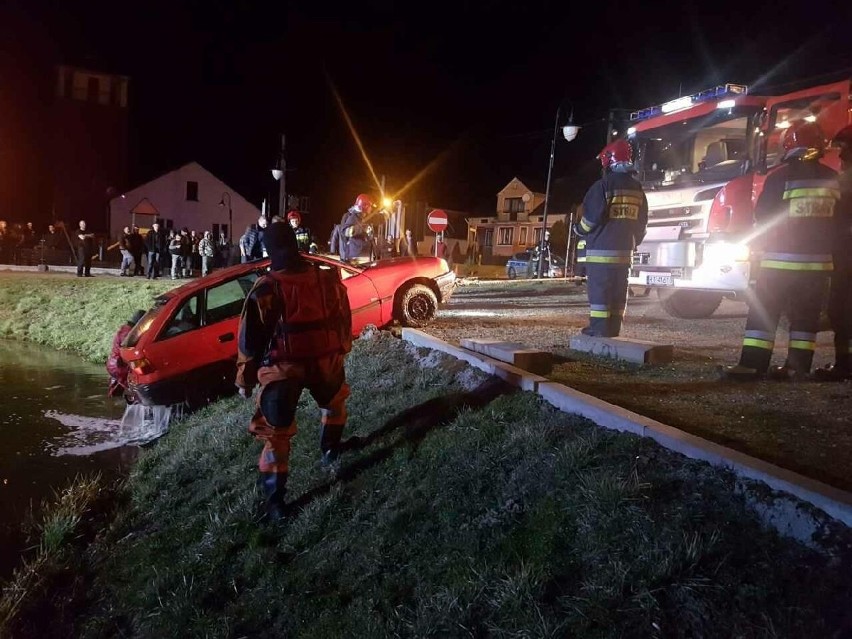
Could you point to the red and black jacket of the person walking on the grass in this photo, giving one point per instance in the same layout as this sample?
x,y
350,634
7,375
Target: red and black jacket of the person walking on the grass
x,y
290,316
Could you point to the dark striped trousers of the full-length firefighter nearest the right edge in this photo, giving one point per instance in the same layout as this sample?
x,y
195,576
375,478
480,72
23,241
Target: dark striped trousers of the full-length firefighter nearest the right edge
x,y
800,296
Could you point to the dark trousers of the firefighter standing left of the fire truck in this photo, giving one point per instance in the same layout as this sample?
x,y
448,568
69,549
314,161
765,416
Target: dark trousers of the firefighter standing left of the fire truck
x,y
607,290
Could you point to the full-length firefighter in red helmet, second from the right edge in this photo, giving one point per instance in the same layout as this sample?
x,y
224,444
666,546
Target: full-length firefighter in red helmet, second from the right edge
x,y
795,232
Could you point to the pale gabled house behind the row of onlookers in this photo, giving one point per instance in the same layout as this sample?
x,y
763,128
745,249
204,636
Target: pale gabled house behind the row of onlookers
x,y
189,196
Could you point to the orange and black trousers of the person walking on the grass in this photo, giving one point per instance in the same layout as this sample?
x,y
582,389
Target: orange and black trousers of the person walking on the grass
x,y
274,420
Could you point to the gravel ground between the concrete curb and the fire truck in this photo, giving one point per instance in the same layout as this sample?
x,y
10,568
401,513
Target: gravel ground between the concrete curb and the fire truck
x,y
805,426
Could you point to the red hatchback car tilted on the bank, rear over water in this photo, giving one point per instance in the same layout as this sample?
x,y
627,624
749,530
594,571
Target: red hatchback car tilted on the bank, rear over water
x,y
185,347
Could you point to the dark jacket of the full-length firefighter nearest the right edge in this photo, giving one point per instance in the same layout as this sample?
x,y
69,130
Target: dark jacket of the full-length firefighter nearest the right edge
x,y
795,217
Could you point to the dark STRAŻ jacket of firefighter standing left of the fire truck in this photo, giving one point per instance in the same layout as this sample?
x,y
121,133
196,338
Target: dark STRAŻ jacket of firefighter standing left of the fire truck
x,y
615,214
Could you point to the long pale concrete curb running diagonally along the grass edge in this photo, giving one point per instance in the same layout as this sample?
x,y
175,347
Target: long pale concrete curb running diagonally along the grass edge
x,y
834,502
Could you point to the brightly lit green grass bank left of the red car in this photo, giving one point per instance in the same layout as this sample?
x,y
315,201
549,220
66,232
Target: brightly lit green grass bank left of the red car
x,y
67,313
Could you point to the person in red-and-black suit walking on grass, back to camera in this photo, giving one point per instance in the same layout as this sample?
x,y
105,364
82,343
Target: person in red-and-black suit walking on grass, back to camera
x,y
295,330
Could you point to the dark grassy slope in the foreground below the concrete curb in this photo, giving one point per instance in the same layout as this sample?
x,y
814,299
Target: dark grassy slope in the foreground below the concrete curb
x,y
467,510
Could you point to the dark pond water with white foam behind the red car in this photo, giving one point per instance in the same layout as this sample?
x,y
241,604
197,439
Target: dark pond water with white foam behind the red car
x,y
56,422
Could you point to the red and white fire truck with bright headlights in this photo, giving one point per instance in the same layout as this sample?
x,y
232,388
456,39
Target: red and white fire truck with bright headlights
x,y
702,160
